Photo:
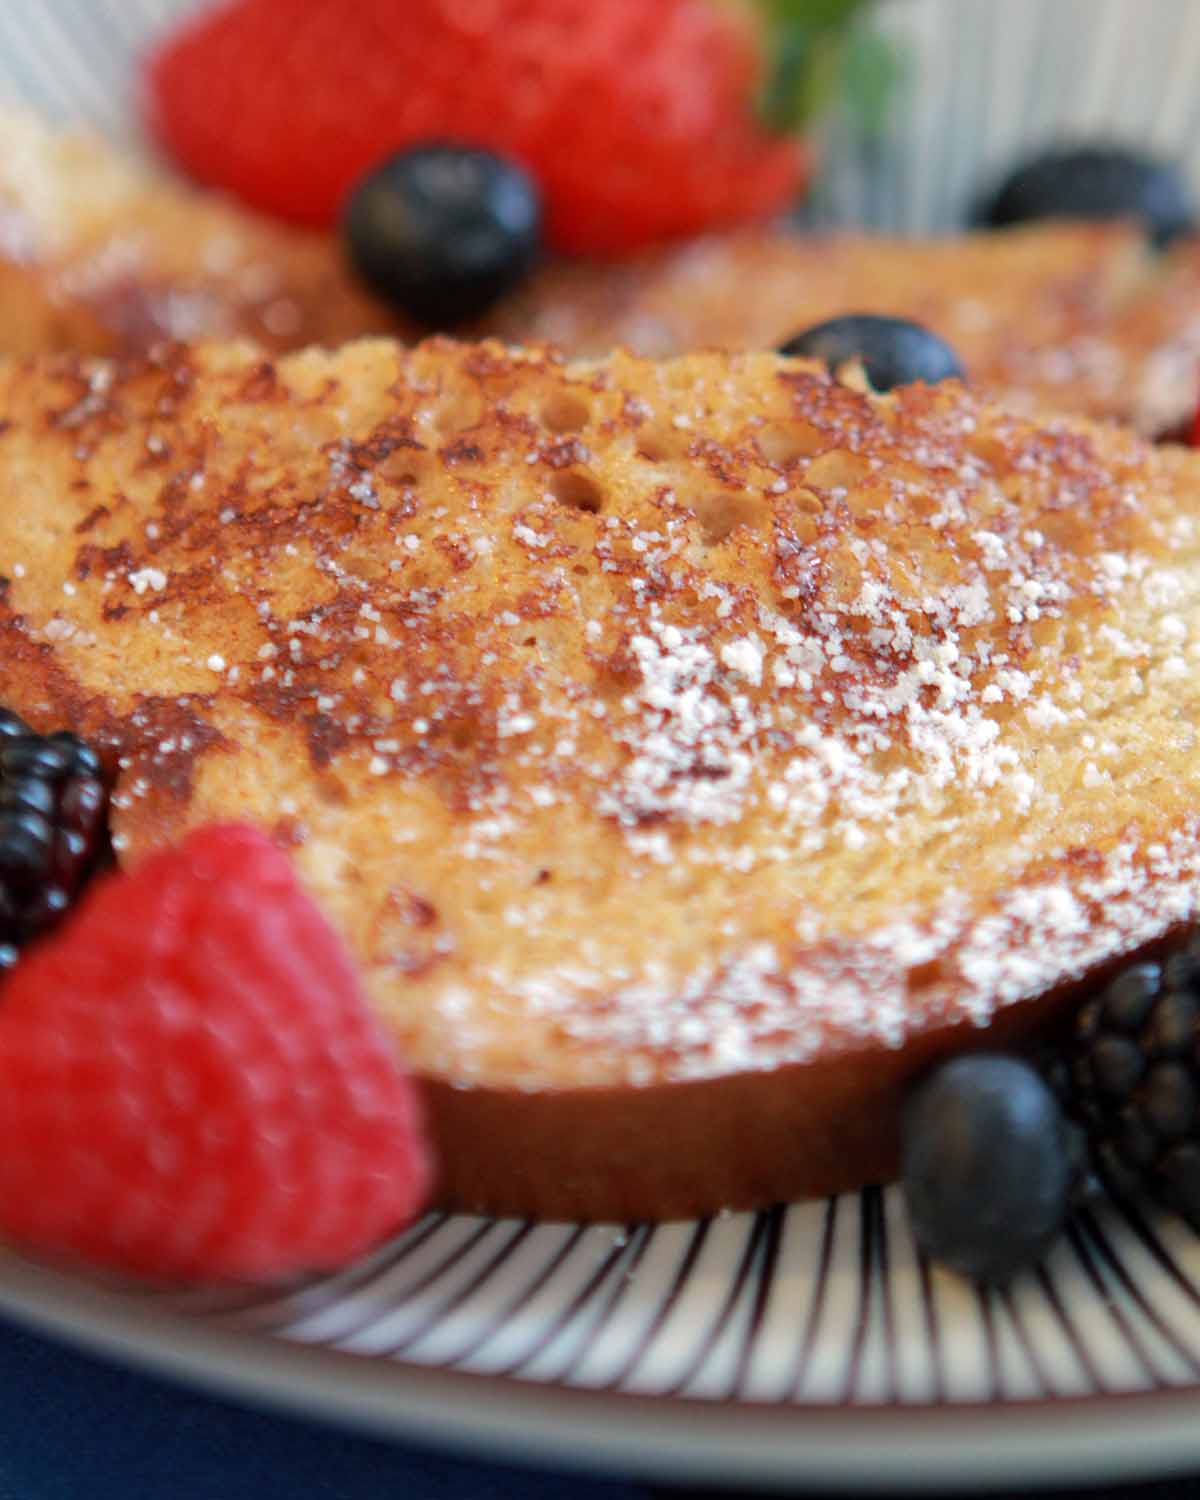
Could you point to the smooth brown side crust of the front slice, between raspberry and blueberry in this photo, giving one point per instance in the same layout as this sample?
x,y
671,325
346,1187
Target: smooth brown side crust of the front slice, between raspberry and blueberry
x,y
686,1150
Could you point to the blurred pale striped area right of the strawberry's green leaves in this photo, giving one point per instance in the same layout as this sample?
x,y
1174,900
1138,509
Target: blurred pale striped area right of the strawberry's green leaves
x,y
994,80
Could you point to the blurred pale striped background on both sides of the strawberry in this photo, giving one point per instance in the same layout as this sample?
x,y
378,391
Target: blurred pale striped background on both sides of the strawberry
x,y
989,82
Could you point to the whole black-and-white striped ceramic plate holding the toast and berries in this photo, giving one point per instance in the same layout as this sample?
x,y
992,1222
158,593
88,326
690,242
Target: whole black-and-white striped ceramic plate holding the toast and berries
x,y
809,1345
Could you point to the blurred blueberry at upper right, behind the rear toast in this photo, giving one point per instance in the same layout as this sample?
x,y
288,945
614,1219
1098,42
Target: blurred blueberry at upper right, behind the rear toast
x,y
1094,182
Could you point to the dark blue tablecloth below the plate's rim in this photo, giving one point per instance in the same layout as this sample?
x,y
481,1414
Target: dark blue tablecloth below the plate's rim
x,y
77,1429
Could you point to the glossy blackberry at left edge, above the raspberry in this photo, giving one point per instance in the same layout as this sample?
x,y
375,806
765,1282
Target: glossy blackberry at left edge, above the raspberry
x,y
53,829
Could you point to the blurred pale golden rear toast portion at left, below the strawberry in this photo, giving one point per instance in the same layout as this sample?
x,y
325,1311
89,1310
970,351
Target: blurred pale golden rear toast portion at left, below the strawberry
x,y
101,251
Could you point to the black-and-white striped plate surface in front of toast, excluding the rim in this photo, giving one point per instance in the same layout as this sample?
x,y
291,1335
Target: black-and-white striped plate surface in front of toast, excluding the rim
x,y
821,1304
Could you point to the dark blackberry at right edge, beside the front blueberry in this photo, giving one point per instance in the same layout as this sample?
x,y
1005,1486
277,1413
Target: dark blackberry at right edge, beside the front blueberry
x,y
1133,1079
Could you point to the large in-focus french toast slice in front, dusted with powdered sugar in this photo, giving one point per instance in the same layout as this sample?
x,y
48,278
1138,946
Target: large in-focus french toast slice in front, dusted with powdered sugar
x,y
689,752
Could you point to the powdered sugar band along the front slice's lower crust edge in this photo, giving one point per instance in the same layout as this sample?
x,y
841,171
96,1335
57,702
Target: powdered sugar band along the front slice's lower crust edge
x,y
764,1009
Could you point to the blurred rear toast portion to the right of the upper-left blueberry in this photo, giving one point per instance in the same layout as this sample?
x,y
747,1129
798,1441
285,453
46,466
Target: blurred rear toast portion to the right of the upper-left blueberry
x,y
1037,314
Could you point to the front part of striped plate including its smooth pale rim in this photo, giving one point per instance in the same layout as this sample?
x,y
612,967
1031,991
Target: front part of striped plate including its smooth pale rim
x,y
806,1345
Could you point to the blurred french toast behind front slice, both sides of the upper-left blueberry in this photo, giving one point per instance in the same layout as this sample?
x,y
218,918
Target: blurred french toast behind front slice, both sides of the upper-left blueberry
x,y
101,251
